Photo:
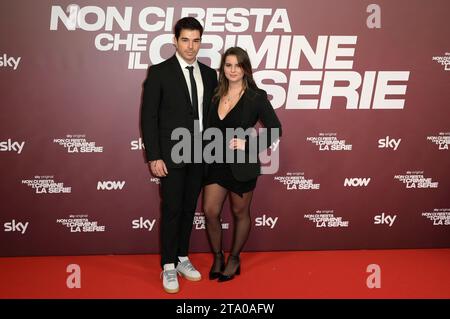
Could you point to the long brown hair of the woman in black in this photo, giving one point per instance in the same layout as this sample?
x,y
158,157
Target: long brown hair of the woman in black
x,y
246,66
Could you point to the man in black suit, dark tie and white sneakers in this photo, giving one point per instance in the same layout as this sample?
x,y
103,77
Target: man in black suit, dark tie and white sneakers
x,y
177,94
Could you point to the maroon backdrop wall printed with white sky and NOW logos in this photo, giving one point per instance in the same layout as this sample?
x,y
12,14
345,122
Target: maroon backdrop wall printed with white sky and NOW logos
x,y
362,90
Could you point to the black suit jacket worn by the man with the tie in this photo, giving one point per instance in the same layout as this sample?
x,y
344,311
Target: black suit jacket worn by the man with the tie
x,y
166,105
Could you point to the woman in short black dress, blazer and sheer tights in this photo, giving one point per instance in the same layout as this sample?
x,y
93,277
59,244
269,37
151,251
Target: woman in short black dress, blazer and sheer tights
x,y
237,104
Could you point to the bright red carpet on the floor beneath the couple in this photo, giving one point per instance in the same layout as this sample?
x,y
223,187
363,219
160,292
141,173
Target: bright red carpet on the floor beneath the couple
x,y
418,273
